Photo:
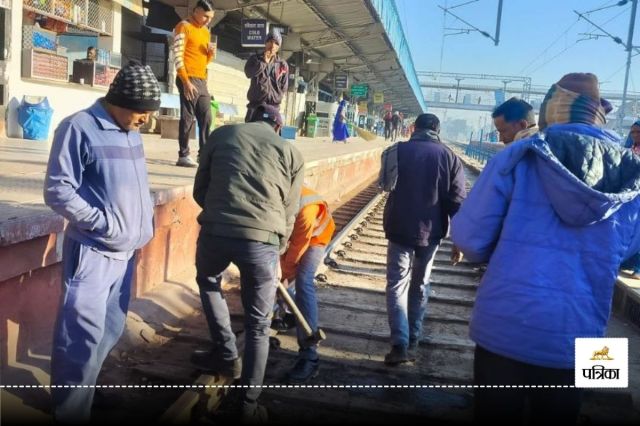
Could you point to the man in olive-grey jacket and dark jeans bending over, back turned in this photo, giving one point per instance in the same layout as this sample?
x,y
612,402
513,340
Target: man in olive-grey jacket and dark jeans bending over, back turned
x,y
248,184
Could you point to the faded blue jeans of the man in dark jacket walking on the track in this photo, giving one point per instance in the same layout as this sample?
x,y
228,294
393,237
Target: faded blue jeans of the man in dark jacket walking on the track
x,y
408,272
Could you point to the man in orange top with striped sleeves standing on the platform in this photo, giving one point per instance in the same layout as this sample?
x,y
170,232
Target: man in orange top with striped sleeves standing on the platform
x,y
193,51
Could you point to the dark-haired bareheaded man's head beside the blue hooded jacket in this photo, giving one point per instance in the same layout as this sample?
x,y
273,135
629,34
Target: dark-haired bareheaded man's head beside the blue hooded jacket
x,y
514,120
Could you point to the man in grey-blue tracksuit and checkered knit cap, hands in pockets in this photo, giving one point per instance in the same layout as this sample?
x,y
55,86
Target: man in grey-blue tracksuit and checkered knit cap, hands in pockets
x,y
97,180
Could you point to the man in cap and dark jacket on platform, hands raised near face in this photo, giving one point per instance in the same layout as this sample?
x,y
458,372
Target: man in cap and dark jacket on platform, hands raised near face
x,y
269,76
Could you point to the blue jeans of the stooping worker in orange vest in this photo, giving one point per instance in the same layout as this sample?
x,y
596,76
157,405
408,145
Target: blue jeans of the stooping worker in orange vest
x,y
306,296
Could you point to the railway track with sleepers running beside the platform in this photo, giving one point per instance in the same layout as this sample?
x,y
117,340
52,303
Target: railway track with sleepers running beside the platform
x,y
354,384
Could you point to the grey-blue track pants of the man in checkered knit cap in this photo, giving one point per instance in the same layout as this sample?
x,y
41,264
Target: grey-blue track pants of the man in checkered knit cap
x,y
91,319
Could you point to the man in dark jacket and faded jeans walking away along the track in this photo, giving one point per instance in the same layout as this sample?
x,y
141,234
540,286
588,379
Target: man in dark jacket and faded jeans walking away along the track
x,y
429,189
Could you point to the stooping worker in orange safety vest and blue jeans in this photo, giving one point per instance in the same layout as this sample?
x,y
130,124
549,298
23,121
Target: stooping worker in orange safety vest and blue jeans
x,y
311,233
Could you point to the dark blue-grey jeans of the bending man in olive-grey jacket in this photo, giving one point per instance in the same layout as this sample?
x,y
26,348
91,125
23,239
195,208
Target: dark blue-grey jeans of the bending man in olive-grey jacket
x,y
258,281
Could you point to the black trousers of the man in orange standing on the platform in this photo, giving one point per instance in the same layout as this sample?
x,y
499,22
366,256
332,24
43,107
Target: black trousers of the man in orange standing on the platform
x,y
200,109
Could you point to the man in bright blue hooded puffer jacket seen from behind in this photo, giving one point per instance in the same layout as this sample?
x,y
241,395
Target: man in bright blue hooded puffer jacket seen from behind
x,y
554,215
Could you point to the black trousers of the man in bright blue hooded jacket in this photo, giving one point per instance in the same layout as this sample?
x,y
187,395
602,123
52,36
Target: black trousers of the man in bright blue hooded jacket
x,y
508,406
